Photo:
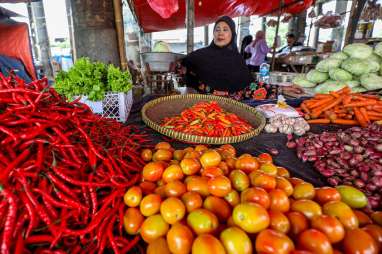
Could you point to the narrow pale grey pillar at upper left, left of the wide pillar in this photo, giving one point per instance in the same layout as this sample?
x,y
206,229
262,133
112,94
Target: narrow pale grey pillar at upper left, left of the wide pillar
x,y
39,21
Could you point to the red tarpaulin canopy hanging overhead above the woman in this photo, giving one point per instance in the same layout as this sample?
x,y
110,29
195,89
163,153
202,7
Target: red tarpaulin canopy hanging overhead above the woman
x,y
152,14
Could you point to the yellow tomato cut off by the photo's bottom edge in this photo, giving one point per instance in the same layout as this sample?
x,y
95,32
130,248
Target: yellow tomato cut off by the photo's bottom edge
x,y
236,241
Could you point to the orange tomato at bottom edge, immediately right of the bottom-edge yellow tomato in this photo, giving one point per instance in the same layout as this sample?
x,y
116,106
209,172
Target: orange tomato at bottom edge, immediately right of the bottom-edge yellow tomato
x,y
271,241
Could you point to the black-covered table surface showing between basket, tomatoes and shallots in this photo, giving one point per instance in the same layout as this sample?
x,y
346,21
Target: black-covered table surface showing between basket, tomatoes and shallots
x,y
286,158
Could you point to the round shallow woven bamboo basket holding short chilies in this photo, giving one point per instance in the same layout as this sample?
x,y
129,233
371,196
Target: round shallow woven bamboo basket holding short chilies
x,y
156,110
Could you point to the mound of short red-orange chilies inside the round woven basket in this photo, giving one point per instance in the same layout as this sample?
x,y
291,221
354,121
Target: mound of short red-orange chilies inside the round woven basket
x,y
208,119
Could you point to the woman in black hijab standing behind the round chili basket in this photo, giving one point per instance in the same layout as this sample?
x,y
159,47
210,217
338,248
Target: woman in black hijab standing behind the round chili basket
x,y
219,68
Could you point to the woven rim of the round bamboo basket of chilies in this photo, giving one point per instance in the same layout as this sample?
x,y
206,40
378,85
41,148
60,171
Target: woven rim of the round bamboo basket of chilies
x,y
202,139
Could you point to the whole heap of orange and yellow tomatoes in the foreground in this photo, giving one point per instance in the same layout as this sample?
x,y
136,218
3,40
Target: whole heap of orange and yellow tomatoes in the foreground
x,y
201,200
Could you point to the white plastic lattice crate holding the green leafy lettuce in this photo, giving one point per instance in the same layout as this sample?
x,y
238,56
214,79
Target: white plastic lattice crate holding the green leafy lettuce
x,y
115,105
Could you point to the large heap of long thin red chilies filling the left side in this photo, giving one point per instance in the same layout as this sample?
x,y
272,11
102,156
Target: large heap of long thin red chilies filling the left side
x,y
63,173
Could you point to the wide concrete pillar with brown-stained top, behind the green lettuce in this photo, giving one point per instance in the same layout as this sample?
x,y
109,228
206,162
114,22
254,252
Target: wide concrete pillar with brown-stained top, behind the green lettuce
x,y
94,30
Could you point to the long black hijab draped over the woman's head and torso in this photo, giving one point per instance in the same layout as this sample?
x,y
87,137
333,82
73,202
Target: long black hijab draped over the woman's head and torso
x,y
220,68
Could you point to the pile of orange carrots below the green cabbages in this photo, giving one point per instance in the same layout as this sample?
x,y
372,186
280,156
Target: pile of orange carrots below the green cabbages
x,y
343,107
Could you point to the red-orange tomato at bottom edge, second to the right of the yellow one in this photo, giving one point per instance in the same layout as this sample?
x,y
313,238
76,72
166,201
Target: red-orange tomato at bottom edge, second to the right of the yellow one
x,y
315,241
